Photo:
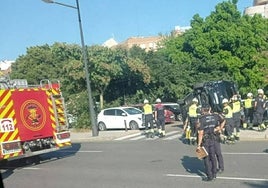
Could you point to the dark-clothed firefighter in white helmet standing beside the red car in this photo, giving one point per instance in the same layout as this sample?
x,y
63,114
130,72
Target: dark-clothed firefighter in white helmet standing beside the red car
x,y
160,117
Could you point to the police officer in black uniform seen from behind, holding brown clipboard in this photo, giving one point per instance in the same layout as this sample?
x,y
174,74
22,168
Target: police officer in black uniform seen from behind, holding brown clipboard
x,y
209,124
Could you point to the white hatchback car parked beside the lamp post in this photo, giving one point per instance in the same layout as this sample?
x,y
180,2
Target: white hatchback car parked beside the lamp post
x,y
120,118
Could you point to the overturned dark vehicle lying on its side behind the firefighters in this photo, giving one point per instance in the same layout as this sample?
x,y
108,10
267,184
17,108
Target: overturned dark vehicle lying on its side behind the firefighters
x,y
212,93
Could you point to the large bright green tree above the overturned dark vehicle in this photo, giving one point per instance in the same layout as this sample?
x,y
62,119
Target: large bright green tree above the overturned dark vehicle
x,y
224,45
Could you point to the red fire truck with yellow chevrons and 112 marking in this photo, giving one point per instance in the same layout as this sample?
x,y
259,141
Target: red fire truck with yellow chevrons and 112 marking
x,y
33,119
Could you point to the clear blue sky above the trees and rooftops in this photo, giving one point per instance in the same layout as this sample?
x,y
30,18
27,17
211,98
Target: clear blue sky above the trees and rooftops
x,y
26,23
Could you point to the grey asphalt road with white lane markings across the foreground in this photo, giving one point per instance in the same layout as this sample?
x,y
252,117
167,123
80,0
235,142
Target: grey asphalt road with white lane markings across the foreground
x,y
144,164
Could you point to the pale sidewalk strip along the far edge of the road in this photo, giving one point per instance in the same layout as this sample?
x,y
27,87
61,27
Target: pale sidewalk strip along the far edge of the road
x,y
86,136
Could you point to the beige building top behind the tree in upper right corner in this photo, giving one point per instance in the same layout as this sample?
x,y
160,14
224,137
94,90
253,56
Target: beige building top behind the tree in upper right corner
x,y
259,7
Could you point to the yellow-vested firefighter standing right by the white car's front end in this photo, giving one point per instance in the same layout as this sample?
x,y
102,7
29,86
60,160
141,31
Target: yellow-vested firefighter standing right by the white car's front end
x,y
148,117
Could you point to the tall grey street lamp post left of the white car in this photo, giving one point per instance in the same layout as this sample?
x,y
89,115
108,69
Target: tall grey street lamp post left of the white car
x,y
85,59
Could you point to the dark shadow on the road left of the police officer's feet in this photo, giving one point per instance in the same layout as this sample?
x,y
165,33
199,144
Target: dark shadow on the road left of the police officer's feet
x,y
193,165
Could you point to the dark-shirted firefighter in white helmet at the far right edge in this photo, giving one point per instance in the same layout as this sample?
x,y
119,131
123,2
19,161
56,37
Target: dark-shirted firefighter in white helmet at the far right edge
x,y
259,109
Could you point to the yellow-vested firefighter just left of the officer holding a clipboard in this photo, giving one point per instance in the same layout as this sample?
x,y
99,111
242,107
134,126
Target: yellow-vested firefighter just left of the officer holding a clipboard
x,y
190,125
